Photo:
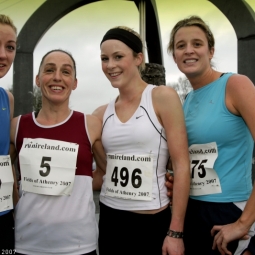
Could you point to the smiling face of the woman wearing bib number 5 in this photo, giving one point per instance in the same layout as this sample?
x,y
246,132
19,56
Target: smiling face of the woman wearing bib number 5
x,y
56,77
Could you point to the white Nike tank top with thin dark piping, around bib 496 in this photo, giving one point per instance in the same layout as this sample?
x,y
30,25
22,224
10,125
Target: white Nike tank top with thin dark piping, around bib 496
x,y
142,134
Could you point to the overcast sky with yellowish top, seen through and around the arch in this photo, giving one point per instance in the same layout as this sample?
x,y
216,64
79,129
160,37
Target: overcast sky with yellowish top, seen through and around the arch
x,y
81,31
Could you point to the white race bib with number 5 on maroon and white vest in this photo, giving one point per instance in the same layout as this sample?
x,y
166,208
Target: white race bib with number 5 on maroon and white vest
x,y
48,166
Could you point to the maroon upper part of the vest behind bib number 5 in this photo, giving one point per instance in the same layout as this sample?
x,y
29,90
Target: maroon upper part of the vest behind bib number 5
x,y
72,130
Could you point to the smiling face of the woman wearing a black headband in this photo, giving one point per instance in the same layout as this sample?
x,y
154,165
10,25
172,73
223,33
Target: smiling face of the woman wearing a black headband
x,y
118,63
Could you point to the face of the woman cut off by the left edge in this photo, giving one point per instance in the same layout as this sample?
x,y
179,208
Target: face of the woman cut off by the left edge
x,y
7,48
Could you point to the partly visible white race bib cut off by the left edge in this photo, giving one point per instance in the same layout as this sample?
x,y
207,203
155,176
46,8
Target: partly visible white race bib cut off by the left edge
x,y
6,183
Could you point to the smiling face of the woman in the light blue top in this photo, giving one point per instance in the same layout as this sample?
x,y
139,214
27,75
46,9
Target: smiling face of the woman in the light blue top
x,y
191,51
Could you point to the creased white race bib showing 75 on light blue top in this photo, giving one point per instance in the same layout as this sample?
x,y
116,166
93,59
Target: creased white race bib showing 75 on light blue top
x,y
204,179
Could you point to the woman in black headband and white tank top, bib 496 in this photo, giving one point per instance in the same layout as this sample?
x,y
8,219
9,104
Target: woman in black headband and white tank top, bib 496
x,y
141,128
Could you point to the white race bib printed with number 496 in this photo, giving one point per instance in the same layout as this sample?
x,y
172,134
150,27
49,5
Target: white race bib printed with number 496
x,y
129,176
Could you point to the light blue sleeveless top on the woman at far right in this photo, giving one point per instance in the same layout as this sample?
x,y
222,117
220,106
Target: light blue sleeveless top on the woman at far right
x,y
208,120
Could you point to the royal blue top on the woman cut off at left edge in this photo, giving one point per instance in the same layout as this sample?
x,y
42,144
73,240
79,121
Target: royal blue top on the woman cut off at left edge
x,y
4,126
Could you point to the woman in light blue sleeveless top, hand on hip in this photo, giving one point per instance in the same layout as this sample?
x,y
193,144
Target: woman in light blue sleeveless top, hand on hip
x,y
220,121
